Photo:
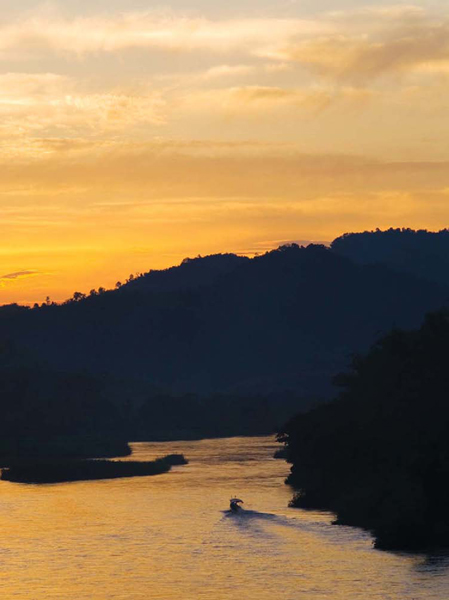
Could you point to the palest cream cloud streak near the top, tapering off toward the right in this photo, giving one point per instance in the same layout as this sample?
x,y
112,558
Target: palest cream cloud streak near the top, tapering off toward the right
x,y
148,30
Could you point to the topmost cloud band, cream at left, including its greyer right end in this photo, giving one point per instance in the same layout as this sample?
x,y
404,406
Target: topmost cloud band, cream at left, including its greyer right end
x,y
359,44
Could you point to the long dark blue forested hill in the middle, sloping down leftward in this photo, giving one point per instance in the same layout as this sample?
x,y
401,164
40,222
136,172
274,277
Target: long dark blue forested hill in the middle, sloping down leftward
x,y
286,320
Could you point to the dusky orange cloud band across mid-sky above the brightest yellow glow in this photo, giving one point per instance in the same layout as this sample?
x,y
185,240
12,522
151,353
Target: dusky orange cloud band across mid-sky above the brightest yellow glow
x,y
165,169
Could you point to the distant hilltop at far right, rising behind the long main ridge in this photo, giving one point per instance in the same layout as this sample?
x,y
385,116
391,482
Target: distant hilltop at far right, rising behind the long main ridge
x,y
422,253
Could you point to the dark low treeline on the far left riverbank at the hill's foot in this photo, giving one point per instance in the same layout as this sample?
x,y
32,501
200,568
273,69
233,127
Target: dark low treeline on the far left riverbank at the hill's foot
x,y
46,413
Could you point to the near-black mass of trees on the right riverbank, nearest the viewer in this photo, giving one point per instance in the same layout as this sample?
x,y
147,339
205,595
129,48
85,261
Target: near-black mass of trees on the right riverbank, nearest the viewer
x,y
378,455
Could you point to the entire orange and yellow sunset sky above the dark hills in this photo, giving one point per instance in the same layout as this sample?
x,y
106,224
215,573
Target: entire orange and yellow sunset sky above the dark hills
x,y
134,134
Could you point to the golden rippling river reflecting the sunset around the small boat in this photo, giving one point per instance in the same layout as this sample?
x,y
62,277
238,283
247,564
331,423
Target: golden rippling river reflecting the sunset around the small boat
x,y
170,537
